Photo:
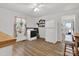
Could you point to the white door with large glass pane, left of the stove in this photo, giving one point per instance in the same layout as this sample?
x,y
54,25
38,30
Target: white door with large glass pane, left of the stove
x,y
20,28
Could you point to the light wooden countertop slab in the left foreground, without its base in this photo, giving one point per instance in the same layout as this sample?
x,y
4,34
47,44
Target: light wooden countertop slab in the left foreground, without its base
x,y
6,40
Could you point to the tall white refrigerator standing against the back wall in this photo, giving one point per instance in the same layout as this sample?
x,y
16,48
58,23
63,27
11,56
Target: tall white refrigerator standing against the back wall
x,y
51,31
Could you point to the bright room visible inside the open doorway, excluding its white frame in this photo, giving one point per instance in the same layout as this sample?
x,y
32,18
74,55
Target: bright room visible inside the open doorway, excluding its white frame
x,y
68,31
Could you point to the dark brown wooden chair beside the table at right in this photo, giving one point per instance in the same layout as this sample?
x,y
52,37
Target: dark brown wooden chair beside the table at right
x,y
70,44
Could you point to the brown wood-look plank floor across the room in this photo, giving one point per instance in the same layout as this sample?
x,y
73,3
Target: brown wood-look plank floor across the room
x,y
38,47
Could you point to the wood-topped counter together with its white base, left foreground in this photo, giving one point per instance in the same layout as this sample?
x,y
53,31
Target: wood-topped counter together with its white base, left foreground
x,y
6,44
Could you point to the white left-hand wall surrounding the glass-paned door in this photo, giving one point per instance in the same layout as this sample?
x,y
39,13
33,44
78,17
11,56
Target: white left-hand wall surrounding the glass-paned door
x,y
7,18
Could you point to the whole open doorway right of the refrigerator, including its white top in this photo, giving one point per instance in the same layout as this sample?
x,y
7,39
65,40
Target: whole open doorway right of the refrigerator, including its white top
x,y
67,28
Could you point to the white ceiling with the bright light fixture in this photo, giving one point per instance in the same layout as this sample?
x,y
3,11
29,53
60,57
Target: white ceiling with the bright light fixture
x,y
44,8
